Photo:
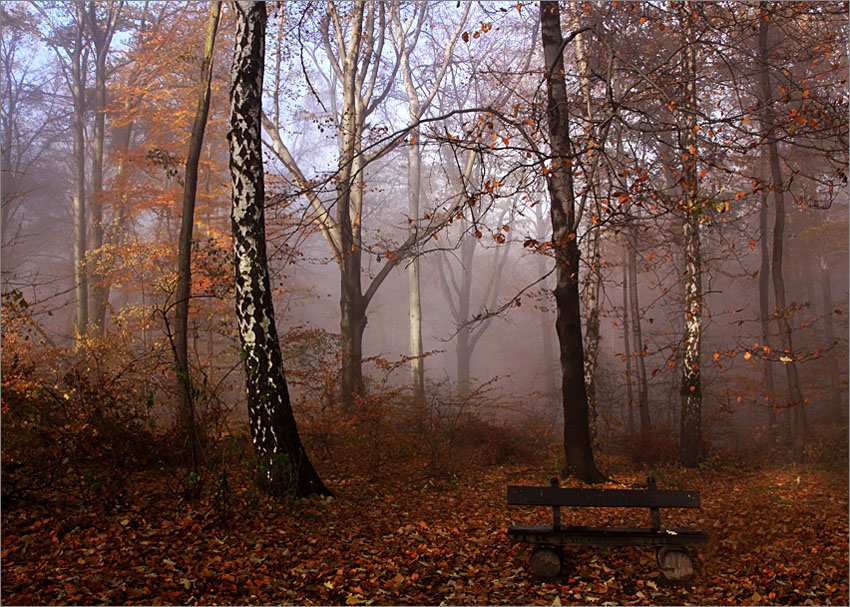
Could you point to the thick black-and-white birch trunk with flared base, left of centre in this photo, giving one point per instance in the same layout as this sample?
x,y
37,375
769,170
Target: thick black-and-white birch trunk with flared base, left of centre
x,y
284,465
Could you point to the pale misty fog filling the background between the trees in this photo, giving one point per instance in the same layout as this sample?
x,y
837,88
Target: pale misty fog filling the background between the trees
x,y
493,252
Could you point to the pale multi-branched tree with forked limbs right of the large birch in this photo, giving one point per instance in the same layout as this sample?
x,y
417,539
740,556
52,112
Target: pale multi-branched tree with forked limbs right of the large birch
x,y
353,44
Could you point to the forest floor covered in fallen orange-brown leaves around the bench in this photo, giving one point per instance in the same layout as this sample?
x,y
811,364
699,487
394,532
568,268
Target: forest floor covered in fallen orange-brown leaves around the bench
x,y
778,536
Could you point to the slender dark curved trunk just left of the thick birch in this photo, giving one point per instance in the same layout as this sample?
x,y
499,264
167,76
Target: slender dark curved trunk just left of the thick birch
x,y
184,255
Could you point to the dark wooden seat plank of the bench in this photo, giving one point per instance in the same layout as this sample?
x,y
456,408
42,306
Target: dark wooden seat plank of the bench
x,y
606,536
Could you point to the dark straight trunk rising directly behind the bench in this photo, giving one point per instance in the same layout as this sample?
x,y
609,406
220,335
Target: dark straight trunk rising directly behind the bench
x,y
577,448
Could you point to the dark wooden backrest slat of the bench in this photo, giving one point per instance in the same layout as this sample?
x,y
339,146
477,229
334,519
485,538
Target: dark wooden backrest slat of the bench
x,y
610,498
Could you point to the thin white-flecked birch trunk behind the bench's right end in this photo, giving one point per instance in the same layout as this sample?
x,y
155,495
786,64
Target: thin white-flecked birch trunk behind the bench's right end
x,y
690,445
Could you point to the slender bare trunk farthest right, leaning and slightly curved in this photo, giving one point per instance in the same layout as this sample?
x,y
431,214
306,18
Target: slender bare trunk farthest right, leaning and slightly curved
x,y
777,185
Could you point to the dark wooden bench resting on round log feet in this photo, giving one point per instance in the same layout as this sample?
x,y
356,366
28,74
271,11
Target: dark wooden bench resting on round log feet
x,y
549,540
